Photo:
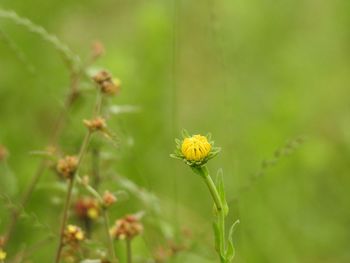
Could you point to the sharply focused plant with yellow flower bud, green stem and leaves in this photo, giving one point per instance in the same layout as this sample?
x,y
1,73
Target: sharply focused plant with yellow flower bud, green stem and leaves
x,y
196,151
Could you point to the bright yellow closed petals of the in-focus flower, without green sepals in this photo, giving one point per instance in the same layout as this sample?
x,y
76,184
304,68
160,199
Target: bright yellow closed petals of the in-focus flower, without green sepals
x,y
195,148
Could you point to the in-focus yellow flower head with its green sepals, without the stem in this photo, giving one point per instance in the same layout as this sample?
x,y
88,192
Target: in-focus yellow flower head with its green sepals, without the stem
x,y
195,150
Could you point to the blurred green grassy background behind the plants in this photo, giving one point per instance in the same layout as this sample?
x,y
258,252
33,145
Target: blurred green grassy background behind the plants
x,y
255,74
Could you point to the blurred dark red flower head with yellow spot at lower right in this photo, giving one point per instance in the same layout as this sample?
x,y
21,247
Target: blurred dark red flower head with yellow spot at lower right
x,y
87,208
